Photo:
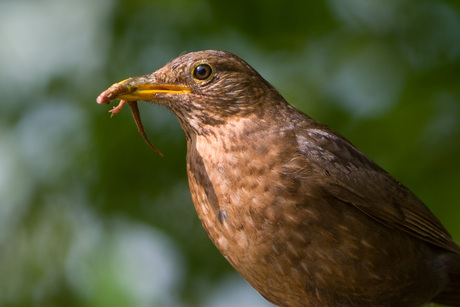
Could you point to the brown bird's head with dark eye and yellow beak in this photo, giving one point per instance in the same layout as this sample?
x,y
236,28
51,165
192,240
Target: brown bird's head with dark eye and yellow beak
x,y
203,89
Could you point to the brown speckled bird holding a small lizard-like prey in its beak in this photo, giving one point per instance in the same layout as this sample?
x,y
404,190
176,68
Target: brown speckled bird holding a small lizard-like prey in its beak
x,y
303,215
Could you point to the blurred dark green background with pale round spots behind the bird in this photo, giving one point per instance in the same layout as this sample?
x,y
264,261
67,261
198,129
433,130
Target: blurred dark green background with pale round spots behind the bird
x,y
91,216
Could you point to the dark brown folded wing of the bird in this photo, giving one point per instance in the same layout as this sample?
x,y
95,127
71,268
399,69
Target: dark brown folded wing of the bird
x,y
353,178
